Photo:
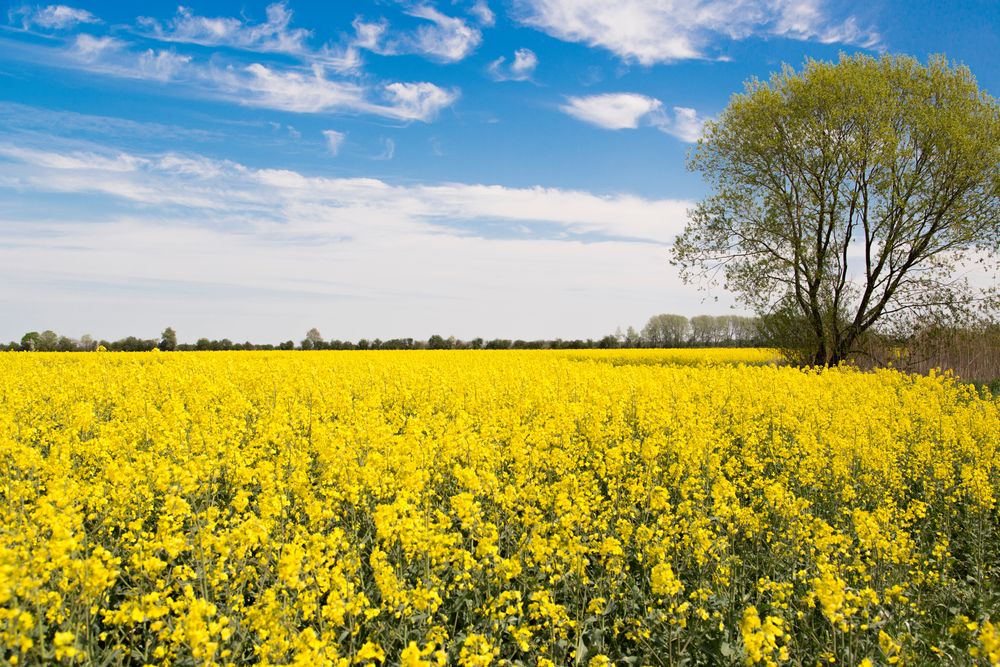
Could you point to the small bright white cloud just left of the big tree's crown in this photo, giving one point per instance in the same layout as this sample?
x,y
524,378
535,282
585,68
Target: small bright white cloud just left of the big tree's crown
x,y
621,111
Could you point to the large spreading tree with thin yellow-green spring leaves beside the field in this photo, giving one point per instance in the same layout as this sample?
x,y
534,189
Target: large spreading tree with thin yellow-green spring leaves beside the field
x,y
846,197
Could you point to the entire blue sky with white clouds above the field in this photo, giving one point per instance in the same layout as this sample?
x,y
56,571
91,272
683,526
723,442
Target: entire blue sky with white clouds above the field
x,y
393,168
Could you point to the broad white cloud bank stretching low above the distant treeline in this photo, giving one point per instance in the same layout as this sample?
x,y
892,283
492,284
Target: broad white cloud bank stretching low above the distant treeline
x,y
263,253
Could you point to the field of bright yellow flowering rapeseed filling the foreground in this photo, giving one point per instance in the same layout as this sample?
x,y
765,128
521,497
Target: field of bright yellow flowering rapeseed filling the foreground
x,y
476,508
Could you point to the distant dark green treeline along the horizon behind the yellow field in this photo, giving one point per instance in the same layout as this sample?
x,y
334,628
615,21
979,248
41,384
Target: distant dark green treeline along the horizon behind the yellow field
x,y
660,331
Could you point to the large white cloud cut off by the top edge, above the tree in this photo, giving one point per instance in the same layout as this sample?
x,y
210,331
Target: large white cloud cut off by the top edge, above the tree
x,y
656,31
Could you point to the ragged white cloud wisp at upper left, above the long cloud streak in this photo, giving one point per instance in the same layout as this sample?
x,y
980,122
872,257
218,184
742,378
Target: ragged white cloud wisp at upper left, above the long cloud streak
x,y
274,35
